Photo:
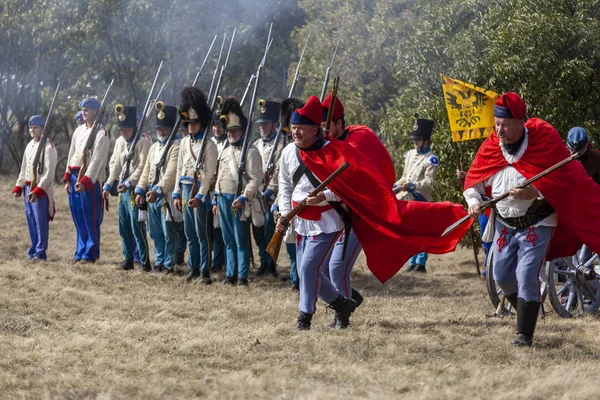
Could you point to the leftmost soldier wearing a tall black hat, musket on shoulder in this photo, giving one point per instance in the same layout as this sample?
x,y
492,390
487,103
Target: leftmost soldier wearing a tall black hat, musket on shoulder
x,y
125,175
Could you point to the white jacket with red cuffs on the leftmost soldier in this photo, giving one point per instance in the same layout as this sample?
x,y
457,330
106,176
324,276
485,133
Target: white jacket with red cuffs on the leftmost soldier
x,y
45,181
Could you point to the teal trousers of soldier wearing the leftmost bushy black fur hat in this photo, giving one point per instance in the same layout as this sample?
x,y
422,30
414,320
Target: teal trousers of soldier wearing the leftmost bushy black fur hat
x,y
196,222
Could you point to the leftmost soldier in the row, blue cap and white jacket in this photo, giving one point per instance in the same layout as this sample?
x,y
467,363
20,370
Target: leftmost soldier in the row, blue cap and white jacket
x,y
37,185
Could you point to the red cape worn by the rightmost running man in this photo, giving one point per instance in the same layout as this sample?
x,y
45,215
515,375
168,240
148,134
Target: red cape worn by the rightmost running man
x,y
571,192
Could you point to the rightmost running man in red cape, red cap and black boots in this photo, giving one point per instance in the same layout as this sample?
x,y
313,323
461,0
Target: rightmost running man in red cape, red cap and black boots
x,y
537,222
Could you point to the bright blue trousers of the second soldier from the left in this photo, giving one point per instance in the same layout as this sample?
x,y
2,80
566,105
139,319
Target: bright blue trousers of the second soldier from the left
x,y
87,212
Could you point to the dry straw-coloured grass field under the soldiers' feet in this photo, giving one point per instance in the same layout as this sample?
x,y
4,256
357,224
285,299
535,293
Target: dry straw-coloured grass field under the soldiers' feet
x,y
91,332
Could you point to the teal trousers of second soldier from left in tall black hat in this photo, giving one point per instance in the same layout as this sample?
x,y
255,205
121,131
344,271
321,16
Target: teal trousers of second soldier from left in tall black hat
x,y
163,233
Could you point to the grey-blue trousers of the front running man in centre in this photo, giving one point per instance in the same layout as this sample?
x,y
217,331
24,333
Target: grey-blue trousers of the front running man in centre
x,y
312,253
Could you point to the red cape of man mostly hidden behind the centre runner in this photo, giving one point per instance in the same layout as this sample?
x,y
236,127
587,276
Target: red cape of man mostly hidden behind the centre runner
x,y
362,138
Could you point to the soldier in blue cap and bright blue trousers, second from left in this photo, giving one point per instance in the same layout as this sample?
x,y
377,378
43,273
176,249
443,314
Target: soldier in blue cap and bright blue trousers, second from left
x,y
85,198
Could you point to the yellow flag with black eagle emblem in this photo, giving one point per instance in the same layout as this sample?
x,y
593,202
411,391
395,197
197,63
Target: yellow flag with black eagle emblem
x,y
470,109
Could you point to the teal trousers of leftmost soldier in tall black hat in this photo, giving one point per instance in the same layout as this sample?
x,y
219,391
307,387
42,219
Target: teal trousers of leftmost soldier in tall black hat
x,y
131,230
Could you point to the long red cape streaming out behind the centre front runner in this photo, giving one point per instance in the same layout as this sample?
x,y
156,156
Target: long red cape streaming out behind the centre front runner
x,y
390,230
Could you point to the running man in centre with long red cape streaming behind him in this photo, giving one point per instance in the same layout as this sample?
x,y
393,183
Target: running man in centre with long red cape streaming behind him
x,y
390,230
